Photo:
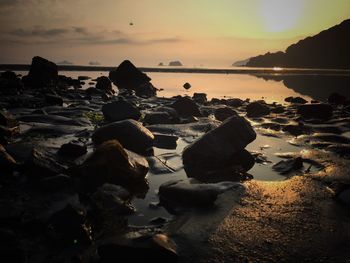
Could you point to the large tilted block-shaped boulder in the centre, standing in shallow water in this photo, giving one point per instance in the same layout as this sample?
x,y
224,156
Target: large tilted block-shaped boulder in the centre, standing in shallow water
x,y
218,149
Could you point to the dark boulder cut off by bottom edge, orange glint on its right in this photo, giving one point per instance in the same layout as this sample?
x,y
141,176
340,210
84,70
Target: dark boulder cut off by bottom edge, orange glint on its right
x,y
137,247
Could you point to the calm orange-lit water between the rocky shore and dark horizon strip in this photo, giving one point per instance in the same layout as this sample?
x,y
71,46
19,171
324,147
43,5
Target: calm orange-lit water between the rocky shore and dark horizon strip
x,y
271,87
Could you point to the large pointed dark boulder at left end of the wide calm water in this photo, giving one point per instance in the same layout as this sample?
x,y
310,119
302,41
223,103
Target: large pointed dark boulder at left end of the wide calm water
x,y
128,77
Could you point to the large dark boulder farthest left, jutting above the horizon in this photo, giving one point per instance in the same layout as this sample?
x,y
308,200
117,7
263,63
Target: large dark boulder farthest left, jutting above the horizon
x,y
42,73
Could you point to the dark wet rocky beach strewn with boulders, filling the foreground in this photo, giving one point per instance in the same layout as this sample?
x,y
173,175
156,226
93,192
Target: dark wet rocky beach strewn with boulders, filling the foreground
x,y
75,161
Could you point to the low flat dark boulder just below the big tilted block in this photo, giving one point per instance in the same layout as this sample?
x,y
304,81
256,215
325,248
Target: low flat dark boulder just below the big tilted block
x,y
192,193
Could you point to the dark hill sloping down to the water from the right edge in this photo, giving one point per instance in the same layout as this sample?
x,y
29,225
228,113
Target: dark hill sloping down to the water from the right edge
x,y
328,49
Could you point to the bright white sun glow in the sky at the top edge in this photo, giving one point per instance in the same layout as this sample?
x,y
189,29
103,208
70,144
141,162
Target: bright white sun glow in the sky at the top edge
x,y
281,15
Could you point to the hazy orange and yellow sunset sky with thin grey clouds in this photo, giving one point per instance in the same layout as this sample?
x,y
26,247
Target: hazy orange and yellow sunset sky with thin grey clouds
x,y
207,33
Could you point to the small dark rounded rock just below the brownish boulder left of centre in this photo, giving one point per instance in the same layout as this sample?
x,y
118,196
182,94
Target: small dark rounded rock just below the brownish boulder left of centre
x,y
113,199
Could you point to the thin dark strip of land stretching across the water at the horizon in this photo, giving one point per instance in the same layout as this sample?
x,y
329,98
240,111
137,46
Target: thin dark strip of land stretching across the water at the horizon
x,y
243,70
